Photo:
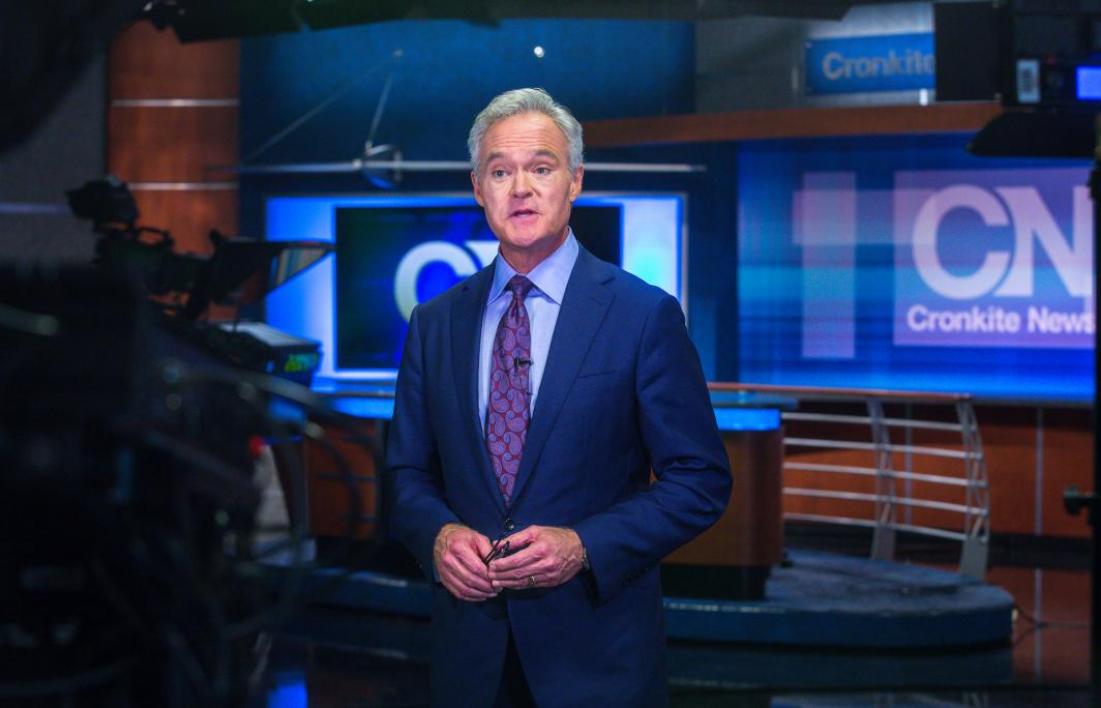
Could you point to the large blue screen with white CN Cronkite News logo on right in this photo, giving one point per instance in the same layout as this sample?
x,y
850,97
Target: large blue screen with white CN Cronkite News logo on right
x,y
907,264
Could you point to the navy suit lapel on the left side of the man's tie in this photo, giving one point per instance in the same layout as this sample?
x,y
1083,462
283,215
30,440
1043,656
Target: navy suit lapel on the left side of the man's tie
x,y
466,343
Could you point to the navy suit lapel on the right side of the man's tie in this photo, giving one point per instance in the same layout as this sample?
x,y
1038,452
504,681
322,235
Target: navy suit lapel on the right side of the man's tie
x,y
584,308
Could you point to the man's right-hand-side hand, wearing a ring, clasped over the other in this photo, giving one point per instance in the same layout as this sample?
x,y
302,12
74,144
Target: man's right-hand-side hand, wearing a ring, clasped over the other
x,y
548,558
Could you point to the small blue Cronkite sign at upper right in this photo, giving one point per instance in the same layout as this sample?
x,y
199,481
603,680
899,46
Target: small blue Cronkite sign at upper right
x,y
865,64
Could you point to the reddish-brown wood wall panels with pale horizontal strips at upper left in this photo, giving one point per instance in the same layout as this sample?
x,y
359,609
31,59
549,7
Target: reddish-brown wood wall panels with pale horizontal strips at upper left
x,y
172,122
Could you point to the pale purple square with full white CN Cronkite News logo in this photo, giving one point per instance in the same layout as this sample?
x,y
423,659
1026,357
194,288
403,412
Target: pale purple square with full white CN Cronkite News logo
x,y
994,258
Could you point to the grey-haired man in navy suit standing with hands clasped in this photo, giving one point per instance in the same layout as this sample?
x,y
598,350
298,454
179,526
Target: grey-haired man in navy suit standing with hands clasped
x,y
532,404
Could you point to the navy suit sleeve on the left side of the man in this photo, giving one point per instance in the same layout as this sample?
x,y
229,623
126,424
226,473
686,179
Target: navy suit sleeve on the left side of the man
x,y
419,507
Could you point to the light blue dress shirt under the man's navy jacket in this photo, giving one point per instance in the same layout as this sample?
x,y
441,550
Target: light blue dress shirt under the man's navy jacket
x,y
543,303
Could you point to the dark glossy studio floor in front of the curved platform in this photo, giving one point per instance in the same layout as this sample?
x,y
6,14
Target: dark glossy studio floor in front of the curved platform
x,y
331,657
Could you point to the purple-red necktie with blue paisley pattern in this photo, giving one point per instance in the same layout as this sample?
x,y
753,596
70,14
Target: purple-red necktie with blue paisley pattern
x,y
507,413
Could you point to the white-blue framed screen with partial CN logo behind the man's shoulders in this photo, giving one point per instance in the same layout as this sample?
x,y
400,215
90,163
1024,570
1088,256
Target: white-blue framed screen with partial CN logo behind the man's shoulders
x,y
396,252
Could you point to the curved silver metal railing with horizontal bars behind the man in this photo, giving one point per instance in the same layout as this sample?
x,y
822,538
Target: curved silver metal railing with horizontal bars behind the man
x,y
870,434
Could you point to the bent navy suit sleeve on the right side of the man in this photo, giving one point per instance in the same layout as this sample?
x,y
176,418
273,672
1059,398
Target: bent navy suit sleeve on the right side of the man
x,y
679,430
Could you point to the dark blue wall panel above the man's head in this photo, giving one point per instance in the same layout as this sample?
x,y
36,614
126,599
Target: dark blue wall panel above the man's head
x,y
328,84
